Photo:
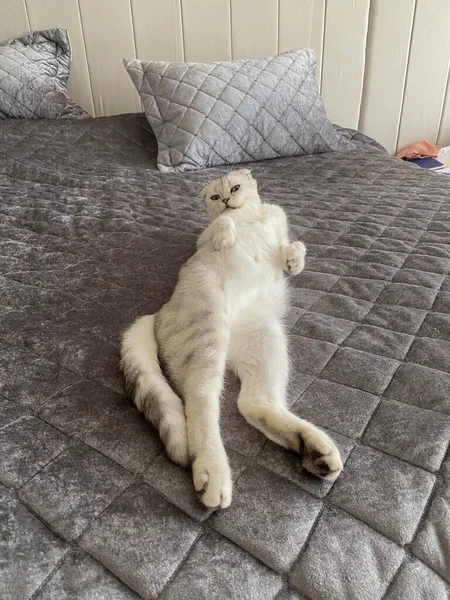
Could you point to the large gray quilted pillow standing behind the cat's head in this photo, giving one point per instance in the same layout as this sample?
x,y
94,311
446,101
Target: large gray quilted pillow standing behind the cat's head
x,y
208,114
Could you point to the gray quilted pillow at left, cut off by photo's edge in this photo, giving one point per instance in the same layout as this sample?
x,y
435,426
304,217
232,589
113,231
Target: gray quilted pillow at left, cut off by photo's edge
x,y
34,70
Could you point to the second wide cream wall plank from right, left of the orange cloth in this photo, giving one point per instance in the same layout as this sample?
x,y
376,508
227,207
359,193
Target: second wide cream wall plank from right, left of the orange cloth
x,y
388,45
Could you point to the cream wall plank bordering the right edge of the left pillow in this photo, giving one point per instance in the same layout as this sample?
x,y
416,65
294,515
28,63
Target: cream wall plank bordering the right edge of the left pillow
x,y
44,14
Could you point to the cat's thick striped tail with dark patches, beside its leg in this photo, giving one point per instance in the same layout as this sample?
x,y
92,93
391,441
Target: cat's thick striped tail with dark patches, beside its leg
x,y
151,391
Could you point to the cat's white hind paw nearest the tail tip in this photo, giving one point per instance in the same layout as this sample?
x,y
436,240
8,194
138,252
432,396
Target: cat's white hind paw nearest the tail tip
x,y
212,478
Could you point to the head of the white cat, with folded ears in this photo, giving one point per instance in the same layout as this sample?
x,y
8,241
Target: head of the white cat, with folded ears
x,y
236,191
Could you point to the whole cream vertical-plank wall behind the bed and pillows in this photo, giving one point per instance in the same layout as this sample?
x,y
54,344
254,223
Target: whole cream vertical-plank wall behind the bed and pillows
x,y
382,64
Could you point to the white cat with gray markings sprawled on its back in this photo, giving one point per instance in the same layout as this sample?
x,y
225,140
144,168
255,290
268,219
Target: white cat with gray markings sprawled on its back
x,y
227,309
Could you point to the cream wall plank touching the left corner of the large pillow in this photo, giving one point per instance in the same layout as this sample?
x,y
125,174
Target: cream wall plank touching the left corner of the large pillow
x,y
108,34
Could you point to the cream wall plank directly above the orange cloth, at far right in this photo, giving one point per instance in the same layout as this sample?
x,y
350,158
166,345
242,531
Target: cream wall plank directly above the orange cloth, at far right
x,y
426,78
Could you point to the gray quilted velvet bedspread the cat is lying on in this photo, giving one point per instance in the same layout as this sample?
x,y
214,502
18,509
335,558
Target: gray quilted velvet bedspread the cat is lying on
x,y
91,236
